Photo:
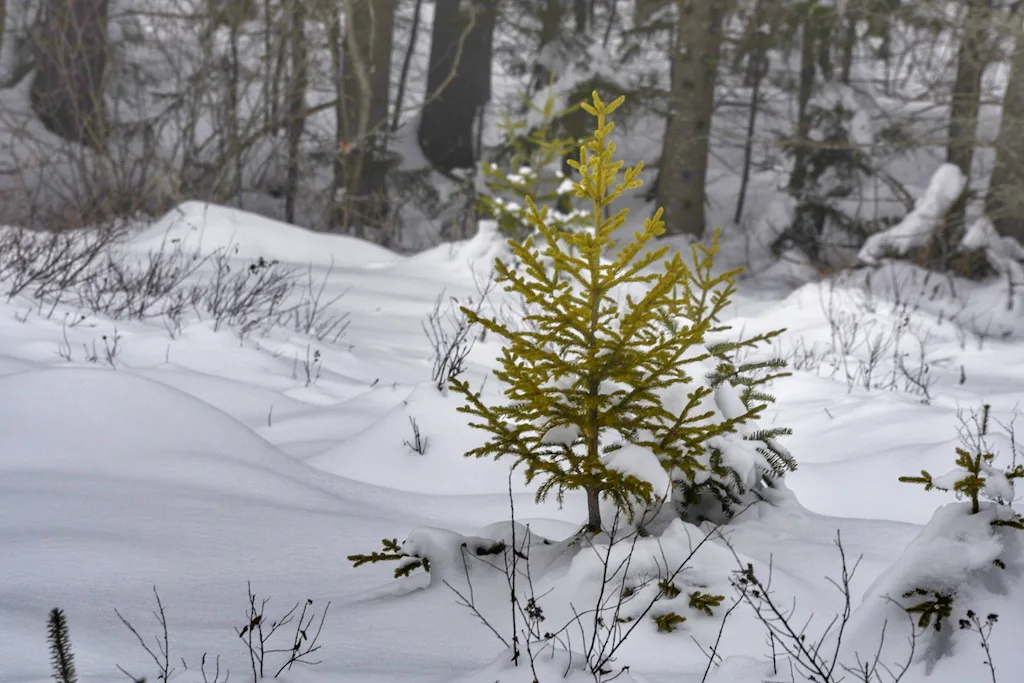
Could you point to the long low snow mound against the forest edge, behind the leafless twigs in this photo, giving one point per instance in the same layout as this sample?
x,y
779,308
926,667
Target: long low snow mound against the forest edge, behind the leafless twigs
x,y
208,228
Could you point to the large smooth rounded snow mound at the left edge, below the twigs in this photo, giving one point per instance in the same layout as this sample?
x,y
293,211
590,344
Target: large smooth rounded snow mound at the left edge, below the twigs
x,y
93,423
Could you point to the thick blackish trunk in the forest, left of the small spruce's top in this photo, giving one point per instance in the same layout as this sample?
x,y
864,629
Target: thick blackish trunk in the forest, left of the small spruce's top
x,y
458,82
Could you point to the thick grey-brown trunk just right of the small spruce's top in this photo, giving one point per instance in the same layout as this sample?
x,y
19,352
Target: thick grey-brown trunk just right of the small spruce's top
x,y
684,170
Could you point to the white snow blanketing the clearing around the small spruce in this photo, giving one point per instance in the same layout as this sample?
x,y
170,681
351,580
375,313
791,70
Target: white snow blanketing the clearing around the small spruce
x,y
196,461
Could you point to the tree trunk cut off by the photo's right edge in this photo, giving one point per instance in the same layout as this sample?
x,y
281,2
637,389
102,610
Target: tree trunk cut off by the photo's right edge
x,y
1005,203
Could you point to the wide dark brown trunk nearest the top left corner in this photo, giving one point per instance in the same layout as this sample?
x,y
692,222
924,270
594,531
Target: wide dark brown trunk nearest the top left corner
x,y
71,63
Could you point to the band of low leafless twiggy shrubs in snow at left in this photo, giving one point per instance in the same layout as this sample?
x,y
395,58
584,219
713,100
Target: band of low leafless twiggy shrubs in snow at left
x,y
94,272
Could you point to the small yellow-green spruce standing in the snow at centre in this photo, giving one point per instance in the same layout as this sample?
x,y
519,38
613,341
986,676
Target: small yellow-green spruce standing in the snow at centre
x,y
609,347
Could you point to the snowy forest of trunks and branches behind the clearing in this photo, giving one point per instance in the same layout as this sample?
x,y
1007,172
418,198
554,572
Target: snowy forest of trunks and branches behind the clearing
x,y
808,125
